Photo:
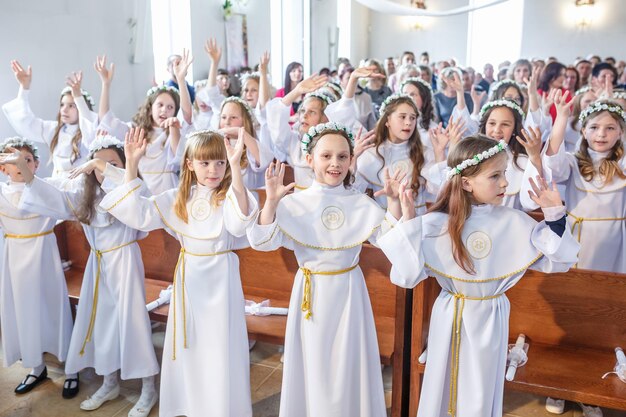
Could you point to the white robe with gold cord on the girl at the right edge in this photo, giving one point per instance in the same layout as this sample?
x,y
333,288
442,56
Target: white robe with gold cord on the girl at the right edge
x,y
596,212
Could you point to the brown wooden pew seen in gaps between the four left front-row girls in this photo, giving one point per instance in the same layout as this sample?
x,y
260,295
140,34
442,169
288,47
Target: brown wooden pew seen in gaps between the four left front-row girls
x,y
265,275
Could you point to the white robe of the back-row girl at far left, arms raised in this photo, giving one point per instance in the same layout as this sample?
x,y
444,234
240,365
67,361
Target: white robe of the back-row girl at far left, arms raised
x,y
27,125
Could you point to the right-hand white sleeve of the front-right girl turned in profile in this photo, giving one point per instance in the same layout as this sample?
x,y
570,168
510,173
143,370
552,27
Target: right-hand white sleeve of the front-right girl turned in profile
x,y
560,253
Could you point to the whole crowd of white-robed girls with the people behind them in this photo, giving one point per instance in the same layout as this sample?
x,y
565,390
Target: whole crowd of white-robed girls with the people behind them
x,y
434,164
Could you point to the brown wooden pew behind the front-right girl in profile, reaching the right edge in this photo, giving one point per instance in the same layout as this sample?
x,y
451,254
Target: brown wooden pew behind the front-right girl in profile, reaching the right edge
x,y
572,321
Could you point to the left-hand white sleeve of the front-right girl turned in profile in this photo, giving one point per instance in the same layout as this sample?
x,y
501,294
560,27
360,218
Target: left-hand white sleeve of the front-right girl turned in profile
x,y
403,247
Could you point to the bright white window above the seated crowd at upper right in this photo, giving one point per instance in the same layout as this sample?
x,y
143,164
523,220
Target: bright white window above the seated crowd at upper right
x,y
494,33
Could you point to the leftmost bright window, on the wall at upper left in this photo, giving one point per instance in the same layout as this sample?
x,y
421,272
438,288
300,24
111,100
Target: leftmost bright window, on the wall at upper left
x,y
171,32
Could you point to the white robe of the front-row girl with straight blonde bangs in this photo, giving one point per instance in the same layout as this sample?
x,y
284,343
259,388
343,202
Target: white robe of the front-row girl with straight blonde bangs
x,y
210,376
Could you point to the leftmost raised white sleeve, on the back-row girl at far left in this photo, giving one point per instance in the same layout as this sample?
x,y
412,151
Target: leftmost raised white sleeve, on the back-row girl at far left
x,y
24,121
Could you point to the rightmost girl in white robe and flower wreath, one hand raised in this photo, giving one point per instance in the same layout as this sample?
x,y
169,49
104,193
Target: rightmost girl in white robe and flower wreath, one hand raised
x,y
595,180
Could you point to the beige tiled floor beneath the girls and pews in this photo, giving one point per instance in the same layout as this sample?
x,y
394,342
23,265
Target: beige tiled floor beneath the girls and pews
x,y
265,379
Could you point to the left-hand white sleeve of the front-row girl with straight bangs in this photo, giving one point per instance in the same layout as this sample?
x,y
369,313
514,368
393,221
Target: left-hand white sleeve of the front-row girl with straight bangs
x,y
130,204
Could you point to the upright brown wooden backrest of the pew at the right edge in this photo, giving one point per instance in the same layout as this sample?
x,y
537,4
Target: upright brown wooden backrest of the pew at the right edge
x,y
576,308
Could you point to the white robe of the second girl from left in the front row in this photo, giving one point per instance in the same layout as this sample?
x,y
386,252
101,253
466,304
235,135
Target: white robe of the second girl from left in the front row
x,y
121,335
